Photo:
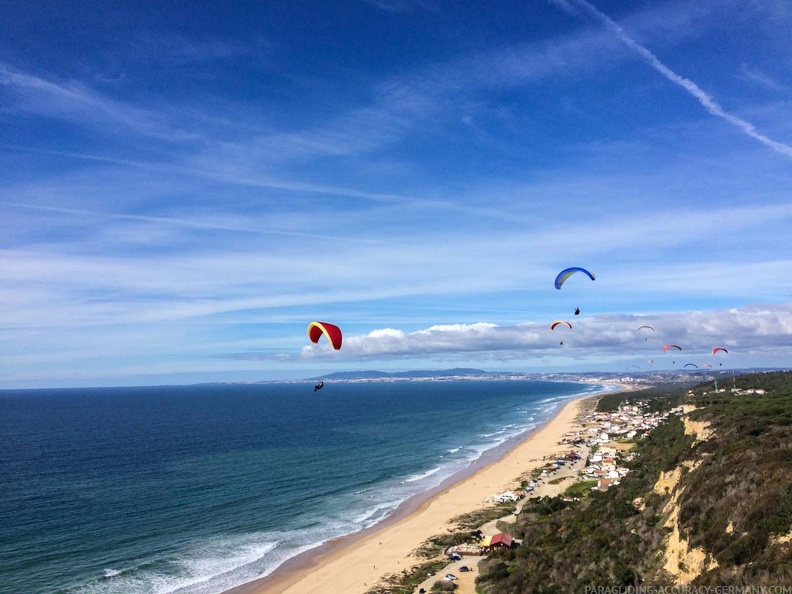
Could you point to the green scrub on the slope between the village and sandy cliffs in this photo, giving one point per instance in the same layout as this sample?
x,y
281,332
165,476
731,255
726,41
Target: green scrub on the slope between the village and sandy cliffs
x,y
599,541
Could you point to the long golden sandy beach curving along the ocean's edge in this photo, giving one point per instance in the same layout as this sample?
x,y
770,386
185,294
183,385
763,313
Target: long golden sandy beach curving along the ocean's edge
x,y
354,564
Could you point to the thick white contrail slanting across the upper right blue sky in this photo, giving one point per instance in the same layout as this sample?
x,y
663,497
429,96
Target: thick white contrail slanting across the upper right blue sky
x,y
692,88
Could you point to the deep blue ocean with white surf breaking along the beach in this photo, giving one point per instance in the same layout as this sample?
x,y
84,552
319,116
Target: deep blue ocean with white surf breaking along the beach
x,y
198,489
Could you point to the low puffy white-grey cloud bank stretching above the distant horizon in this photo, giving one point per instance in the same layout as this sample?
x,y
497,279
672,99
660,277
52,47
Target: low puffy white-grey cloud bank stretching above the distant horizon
x,y
744,330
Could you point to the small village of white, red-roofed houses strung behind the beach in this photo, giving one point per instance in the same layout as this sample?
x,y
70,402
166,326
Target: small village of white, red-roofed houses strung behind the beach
x,y
593,453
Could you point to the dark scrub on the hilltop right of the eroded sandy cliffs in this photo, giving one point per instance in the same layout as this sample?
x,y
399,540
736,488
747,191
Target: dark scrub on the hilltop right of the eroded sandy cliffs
x,y
738,502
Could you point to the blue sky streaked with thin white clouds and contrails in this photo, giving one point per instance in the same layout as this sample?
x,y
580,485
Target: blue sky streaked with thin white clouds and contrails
x,y
187,185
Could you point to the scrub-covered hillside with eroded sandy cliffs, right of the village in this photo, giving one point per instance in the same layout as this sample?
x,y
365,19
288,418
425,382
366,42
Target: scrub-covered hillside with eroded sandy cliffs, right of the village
x,y
708,502
